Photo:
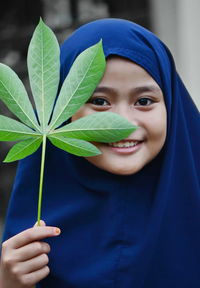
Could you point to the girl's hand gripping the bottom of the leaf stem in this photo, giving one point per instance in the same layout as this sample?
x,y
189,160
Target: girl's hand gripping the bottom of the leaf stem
x,y
24,257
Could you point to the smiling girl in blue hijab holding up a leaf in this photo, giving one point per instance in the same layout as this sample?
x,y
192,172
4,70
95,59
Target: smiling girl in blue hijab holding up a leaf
x,y
129,217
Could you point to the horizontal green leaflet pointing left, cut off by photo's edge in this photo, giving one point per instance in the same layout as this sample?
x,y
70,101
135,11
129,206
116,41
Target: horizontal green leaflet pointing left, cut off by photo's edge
x,y
12,130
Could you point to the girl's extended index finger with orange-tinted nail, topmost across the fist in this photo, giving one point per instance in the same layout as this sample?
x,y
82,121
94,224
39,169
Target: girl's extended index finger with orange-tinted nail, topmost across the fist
x,y
31,235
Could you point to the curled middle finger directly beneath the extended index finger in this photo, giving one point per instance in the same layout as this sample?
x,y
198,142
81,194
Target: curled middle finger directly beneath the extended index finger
x,y
30,251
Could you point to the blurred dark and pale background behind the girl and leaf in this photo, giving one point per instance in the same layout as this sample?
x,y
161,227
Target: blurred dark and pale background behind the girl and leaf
x,y
176,22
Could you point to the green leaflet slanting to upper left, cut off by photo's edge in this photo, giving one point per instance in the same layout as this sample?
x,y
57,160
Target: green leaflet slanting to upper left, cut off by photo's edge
x,y
14,95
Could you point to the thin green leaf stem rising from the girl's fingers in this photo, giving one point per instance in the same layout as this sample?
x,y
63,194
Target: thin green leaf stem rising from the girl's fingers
x,y
41,179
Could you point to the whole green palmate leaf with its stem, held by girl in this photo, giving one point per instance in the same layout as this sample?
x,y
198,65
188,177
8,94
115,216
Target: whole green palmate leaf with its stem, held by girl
x,y
83,77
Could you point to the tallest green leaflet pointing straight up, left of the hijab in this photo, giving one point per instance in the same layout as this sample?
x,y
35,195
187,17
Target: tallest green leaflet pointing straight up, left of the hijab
x,y
44,70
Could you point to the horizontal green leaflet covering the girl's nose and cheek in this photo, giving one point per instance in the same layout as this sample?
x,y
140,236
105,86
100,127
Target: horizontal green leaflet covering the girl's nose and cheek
x,y
101,127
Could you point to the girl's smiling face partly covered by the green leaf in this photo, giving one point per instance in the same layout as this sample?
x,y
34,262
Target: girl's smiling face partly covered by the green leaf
x,y
127,89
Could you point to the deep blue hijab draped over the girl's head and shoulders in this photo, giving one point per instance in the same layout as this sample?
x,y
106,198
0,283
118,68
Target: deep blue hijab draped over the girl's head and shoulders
x,y
142,230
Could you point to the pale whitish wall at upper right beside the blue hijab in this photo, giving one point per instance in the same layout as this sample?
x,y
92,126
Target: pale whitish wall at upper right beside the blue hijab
x,y
177,23
